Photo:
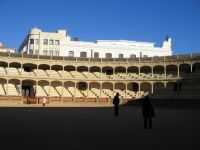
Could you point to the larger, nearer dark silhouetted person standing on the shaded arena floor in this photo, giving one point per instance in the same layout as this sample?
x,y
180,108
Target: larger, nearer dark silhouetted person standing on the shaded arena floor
x,y
148,112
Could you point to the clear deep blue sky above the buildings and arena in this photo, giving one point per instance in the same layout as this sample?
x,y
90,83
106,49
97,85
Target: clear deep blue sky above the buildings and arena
x,y
90,20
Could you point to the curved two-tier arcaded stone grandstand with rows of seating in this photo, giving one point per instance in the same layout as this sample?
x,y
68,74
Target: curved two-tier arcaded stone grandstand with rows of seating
x,y
64,79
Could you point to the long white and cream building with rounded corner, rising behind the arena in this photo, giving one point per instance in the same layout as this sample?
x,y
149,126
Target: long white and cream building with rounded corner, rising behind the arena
x,y
60,44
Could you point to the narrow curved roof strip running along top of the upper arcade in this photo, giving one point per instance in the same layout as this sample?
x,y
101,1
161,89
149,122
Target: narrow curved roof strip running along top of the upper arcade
x,y
146,59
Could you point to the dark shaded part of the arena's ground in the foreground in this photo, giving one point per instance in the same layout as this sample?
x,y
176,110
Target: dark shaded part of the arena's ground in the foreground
x,y
98,129
